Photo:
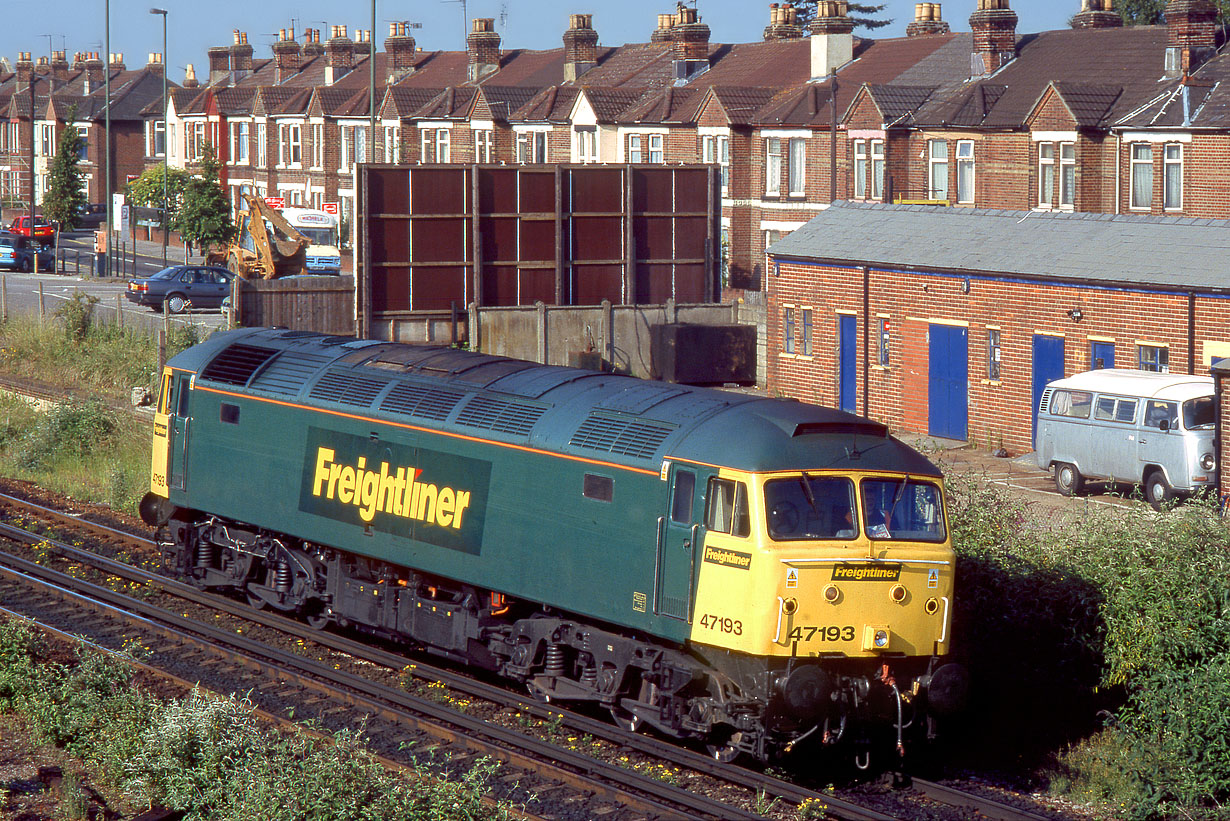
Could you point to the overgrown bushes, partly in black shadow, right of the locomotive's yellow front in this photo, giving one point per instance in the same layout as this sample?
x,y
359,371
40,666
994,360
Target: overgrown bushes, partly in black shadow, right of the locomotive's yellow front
x,y
1106,638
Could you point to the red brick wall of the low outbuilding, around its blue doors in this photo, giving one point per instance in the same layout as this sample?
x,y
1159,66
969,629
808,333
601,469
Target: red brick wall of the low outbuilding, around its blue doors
x,y
1001,413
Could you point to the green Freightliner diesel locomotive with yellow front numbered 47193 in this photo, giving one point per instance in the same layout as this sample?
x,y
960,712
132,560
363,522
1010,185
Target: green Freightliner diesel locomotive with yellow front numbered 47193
x,y
739,571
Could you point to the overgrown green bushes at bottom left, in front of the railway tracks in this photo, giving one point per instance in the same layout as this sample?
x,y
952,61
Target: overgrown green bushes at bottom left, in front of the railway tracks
x,y
208,758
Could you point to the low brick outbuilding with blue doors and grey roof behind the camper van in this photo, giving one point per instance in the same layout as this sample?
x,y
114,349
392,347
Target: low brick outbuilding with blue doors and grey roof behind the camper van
x,y
951,322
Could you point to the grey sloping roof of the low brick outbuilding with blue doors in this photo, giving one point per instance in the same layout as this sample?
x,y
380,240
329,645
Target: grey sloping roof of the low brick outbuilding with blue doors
x,y
1148,252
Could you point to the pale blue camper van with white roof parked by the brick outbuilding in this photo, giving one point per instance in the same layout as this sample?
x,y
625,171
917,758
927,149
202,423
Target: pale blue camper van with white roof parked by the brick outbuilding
x,y
1131,427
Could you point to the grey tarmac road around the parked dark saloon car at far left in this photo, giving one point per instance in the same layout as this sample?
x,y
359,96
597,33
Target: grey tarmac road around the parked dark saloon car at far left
x,y
77,254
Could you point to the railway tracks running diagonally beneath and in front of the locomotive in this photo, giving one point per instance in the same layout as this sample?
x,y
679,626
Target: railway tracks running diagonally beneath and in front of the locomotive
x,y
646,797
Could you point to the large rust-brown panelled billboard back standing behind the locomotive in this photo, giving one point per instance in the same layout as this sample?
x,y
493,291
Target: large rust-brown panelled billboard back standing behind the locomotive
x,y
443,236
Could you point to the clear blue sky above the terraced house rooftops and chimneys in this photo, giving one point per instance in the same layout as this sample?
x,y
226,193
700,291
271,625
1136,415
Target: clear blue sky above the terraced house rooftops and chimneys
x,y
40,26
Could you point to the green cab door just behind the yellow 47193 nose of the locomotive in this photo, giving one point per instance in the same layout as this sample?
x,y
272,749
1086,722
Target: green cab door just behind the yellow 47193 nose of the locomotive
x,y
680,545
